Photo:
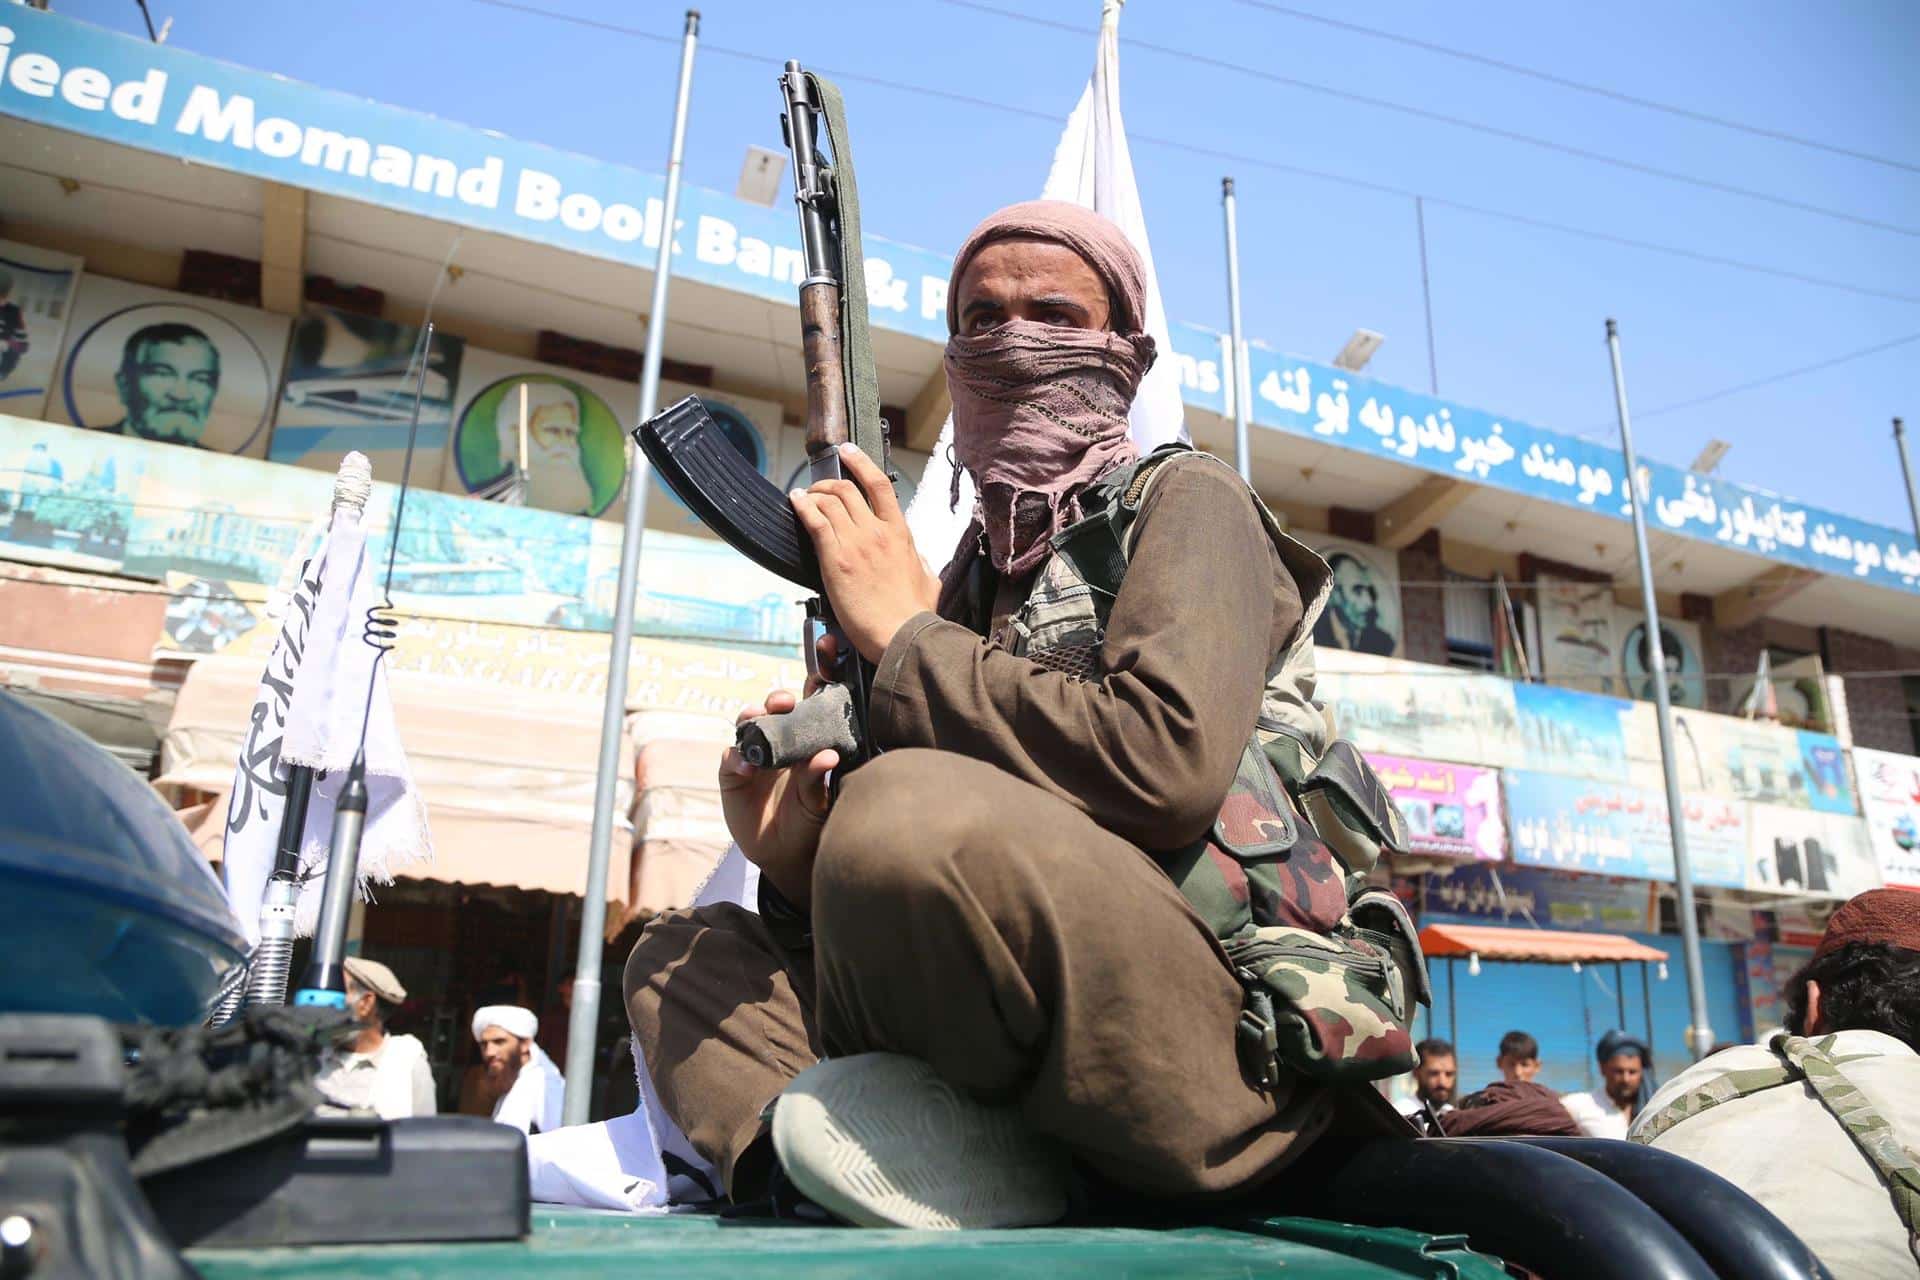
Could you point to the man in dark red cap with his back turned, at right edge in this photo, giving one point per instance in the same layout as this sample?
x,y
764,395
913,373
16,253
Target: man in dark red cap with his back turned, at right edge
x,y
1823,1122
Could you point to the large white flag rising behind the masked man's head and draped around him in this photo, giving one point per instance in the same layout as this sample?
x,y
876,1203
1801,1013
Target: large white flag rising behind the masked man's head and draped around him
x,y
638,1162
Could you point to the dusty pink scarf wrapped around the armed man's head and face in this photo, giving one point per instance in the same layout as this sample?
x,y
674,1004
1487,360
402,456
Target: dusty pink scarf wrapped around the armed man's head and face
x,y
1042,412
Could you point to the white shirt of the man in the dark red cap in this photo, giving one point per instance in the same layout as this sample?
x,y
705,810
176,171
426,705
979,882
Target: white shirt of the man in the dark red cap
x,y
1787,1150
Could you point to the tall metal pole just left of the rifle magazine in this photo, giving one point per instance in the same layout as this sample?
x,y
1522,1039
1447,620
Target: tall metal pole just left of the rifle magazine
x,y
585,1018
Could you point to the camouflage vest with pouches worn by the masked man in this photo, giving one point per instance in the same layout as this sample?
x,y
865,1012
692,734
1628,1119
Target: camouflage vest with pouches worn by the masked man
x,y
1332,970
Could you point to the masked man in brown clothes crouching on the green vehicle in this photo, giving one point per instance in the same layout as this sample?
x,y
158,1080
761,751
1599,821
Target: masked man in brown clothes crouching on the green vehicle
x,y
972,930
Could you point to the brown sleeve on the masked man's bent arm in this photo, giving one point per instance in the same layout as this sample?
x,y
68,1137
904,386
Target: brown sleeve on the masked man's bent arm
x,y
1149,749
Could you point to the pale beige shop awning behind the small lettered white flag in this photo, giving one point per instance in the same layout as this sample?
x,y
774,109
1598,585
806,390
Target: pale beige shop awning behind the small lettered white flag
x,y
508,774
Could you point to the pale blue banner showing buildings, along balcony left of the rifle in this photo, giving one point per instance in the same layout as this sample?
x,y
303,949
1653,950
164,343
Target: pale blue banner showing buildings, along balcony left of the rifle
x,y
108,504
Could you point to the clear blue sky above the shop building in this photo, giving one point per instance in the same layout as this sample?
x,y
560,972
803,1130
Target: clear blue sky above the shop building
x,y
1518,310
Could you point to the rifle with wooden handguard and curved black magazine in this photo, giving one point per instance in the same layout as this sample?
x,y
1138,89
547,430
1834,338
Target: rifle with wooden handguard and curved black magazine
x,y
734,500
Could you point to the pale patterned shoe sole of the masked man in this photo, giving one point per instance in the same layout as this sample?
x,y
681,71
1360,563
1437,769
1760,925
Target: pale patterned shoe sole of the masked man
x,y
880,1141
